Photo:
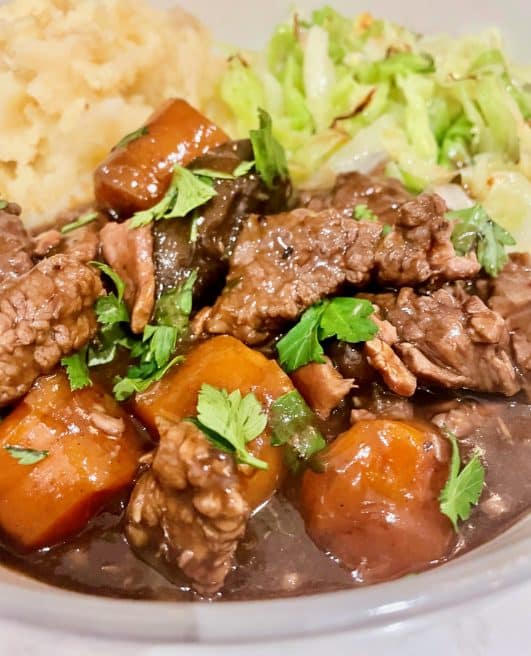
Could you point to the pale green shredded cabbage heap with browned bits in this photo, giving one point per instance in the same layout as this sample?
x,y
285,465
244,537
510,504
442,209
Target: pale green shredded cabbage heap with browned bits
x,y
350,94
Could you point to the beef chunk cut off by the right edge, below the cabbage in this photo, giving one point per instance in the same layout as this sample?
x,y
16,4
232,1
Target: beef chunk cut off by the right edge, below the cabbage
x,y
510,296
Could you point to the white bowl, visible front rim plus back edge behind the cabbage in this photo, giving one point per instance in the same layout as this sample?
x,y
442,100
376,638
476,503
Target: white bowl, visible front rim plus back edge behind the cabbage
x,y
499,564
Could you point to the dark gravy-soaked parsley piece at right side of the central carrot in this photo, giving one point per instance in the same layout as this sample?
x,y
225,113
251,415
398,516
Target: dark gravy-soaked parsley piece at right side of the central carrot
x,y
293,425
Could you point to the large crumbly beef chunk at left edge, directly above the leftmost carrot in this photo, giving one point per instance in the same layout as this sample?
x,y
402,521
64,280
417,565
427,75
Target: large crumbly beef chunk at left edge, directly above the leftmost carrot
x,y
46,314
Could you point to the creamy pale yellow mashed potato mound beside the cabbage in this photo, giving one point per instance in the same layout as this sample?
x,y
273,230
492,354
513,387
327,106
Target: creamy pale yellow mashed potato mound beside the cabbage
x,y
76,75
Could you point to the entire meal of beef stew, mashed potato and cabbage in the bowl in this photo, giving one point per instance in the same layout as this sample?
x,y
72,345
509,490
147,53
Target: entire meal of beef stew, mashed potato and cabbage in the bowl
x,y
274,337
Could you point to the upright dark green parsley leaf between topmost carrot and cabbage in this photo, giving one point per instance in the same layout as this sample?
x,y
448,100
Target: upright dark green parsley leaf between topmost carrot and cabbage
x,y
269,155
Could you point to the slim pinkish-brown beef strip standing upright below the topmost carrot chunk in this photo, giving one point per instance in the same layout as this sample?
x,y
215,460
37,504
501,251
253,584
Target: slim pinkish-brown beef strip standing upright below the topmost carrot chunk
x,y
130,253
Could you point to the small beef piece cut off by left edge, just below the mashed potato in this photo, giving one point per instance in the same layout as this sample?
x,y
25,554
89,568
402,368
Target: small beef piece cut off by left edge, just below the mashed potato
x,y
15,246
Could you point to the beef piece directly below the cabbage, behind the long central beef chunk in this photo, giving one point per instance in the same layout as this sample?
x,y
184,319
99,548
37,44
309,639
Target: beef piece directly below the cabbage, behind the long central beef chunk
x,y
383,196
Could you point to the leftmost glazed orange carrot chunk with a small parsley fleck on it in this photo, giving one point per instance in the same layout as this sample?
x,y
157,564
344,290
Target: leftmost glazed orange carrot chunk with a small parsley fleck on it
x,y
92,452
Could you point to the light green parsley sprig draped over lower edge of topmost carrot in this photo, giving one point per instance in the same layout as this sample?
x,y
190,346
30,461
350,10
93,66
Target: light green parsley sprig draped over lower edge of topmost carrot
x,y
187,191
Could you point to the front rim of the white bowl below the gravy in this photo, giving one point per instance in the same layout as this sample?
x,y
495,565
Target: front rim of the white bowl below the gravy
x,y
486,570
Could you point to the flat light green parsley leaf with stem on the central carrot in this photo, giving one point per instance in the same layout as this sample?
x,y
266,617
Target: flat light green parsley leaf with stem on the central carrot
x,y
231,421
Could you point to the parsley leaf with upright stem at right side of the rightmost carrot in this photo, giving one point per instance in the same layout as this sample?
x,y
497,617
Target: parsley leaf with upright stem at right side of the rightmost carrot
x,y
463,488
